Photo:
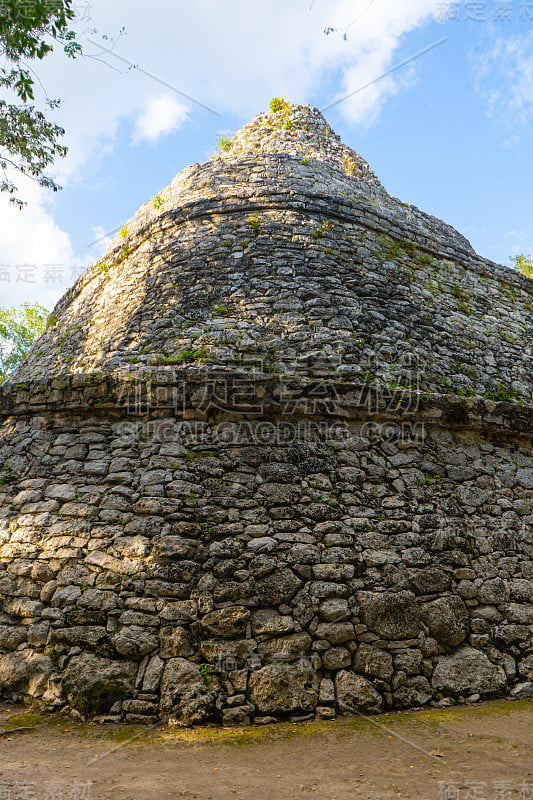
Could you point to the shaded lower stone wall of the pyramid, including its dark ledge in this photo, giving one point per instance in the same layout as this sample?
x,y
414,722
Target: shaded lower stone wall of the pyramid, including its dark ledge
x,y
223,564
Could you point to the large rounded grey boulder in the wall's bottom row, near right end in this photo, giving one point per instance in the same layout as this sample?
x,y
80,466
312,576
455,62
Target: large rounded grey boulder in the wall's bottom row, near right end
x,y
468,670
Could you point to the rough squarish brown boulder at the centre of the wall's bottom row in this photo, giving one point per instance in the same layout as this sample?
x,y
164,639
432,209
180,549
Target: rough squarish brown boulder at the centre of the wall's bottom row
x,y
278,688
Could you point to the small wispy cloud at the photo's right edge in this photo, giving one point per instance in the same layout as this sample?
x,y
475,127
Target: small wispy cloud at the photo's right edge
x,y
504,78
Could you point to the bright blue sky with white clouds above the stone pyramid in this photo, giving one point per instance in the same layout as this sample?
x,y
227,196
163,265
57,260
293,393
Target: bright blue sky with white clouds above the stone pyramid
x,y
450,131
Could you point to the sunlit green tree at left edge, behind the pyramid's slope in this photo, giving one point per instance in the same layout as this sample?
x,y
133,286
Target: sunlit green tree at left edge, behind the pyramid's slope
x,y
19,328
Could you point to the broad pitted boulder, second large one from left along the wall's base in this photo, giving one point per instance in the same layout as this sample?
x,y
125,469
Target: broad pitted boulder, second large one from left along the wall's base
x,y
93,684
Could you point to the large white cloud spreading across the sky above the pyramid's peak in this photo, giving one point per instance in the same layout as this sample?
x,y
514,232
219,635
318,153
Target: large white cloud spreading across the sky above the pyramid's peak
x,y
233,57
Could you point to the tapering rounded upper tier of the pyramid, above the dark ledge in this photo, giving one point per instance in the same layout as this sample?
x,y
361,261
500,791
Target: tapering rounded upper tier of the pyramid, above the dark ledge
x,y
284,253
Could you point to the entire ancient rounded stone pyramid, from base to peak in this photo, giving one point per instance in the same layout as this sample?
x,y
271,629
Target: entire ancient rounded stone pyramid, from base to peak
x,y
272,456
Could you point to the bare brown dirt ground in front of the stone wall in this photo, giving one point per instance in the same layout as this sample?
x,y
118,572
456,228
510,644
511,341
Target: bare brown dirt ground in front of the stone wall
x,y
482,752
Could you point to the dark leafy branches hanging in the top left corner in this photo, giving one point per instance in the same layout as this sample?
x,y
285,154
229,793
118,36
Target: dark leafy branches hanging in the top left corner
x,y
29,30
